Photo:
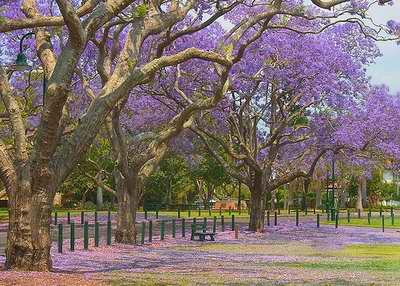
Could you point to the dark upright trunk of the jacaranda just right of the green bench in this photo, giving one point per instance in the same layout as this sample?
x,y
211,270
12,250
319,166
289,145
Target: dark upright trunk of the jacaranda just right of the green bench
x,y
257,205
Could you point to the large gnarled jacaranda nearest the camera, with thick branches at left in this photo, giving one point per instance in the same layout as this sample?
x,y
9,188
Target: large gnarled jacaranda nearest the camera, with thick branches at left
x,y
105,49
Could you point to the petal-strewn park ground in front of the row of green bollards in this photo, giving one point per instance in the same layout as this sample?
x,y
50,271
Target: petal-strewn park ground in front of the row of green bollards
x,y
283,255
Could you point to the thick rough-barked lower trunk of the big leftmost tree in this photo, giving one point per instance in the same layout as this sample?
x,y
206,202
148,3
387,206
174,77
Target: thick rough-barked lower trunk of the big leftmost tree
x,y
28,238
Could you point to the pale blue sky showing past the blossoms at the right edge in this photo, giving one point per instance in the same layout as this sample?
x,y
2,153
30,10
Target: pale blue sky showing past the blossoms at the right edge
x,y
386,70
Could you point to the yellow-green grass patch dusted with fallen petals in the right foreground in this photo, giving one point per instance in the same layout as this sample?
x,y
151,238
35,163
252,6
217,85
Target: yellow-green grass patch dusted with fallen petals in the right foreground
x,y
274,264
